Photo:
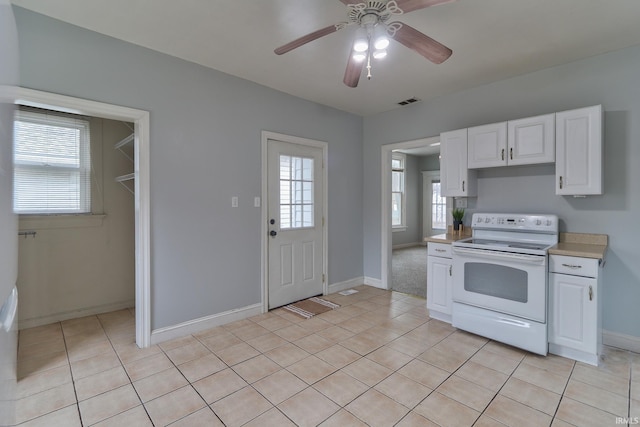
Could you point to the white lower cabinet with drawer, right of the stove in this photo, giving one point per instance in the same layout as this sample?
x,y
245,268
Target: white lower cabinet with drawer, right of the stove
x,y
575,325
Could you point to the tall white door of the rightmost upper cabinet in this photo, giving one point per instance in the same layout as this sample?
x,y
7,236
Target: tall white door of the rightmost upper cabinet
x,y
579,151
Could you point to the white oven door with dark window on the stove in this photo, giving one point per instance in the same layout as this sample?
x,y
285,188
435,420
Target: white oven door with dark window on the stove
x,y
505,282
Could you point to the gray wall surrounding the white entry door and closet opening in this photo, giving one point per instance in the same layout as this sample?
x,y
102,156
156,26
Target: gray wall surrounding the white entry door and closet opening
x,y
205,148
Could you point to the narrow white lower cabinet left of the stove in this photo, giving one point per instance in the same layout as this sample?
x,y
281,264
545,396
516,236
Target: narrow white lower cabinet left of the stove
x,y
439,281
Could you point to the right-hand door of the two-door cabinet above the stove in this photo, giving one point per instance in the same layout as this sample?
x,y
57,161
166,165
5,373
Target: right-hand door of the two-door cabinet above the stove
x,y
531,140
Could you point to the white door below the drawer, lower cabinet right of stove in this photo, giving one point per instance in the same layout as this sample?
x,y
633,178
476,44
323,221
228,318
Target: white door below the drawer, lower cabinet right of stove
x,y
573,312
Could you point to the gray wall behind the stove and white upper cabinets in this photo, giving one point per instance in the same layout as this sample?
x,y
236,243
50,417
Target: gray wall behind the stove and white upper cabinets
x,y
611,80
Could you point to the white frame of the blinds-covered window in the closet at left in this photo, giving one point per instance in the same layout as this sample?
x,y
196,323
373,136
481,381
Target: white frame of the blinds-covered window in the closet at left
x,y
84,162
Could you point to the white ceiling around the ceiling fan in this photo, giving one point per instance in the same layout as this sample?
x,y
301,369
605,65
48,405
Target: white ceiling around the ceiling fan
x,y
491,40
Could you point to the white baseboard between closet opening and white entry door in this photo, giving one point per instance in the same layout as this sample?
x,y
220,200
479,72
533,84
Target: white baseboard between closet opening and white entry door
x,y
207,322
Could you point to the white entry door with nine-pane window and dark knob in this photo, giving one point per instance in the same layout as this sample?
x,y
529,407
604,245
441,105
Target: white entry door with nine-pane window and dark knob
x,y
295,198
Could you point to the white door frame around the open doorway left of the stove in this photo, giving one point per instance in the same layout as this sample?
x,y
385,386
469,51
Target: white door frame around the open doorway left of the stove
x,y
385,215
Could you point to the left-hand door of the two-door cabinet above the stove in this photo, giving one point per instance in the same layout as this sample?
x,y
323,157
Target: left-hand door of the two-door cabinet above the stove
x,y
487,146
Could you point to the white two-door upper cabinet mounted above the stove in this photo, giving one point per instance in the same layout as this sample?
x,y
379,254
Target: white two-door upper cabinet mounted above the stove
x,y
516,142
